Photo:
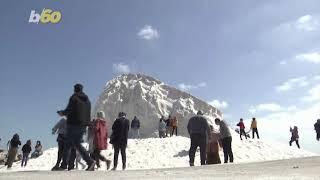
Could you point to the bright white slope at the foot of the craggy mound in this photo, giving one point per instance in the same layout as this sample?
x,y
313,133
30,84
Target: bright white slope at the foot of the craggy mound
x,y
153,153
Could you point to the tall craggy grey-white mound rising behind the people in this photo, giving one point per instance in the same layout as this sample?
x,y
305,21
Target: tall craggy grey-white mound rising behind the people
x,y
148,99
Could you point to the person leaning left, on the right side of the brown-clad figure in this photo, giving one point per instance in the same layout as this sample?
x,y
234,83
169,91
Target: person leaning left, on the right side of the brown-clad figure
x,y
226,140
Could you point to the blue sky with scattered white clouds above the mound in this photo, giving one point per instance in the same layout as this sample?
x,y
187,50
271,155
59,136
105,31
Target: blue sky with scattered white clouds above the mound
x,y
251,58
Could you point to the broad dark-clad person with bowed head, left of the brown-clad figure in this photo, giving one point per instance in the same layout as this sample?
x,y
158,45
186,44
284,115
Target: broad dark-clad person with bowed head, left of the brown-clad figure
x,y
199,131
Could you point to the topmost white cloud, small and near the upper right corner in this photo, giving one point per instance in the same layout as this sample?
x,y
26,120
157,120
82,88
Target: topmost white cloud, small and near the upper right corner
x,y
307,23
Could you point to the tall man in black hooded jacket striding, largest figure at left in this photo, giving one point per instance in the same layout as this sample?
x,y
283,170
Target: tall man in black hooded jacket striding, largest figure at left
x,y
78,117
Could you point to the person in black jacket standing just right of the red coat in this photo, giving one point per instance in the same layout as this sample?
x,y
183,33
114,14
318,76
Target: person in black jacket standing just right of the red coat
x,y
119,139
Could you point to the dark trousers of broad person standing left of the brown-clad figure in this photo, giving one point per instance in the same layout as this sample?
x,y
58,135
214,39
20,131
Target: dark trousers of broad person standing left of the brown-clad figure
x,y
197,140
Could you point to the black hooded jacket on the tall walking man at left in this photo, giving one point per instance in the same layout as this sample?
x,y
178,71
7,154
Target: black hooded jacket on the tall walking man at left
x,y
78,110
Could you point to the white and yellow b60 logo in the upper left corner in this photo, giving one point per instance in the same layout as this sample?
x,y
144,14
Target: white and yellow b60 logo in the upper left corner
x,y
46,16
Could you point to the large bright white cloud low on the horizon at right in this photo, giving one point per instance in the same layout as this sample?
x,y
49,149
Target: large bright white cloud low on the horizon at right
x,y
275,125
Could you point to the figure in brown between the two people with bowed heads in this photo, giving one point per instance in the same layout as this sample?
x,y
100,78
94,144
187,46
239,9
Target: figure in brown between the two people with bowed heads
x,y
213,148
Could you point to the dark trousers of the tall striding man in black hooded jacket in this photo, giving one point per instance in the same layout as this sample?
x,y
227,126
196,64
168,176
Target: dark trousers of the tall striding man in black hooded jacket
x,y
74,140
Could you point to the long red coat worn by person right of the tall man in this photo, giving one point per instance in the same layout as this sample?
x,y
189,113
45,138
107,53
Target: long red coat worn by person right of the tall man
x,y
100,134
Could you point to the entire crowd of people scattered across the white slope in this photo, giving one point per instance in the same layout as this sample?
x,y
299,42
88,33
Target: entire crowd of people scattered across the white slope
x,y
75,121
